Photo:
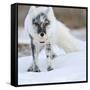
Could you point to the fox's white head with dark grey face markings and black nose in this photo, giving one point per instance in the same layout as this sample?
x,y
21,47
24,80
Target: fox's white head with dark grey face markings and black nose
x,y
40,19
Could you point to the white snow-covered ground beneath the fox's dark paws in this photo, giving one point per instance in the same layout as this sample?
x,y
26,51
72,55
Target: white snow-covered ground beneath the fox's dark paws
x,y
68,67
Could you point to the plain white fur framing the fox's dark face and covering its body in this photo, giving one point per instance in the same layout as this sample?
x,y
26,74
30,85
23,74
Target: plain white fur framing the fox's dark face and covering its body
x,y
57,32
